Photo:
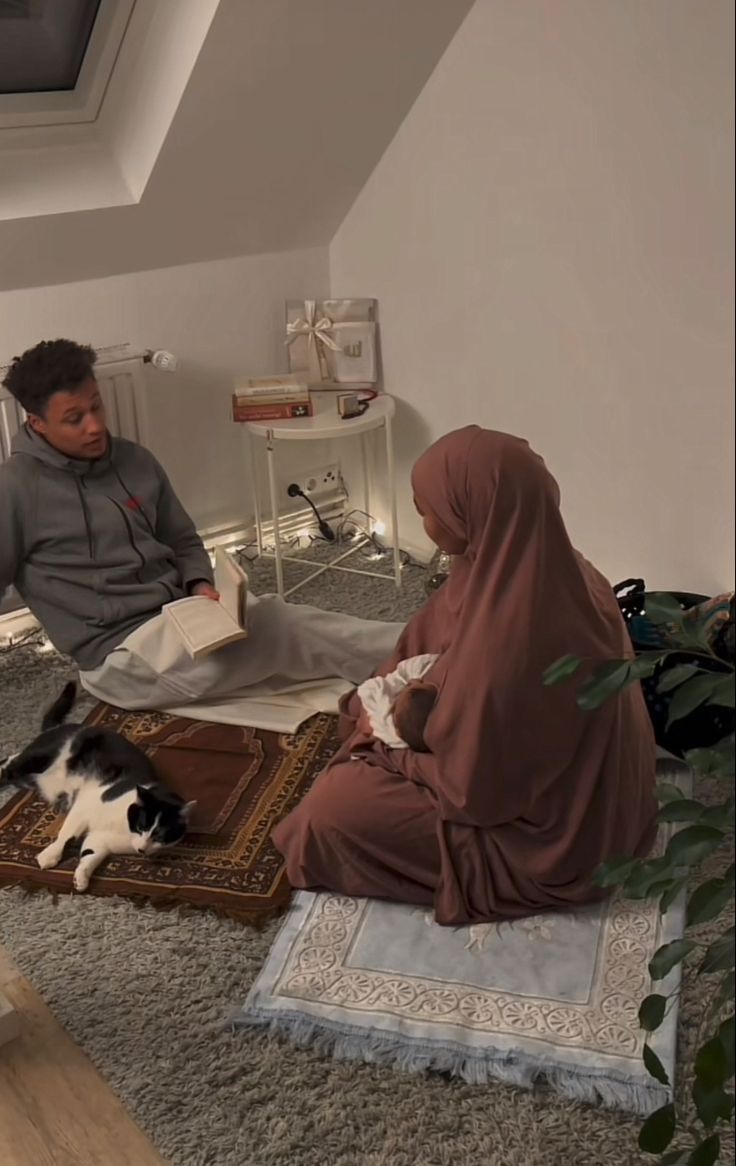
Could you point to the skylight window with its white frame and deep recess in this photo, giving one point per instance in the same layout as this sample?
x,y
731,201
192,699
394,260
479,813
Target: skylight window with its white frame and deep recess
x,y
95,145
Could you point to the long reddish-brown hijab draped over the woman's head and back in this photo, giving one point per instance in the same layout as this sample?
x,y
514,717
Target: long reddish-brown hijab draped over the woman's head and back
x,y
504,748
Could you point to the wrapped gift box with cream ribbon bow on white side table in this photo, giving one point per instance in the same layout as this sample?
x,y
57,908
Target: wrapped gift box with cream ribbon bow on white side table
x,y
333,342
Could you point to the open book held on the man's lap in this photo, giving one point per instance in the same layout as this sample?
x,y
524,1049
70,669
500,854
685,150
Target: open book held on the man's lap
x,y
205,626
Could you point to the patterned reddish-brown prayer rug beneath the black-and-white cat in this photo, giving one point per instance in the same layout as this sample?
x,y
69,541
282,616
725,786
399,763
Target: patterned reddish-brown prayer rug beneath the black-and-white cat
x,y
244,782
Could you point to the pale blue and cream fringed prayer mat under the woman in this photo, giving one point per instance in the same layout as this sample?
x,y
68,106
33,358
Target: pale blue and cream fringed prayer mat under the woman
x,y
553,995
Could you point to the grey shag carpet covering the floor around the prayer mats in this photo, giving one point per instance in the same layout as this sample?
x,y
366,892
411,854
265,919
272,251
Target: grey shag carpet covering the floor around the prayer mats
x,y
146,995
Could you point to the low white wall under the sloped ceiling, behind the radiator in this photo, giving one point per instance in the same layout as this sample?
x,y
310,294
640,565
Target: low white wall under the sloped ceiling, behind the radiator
x,y
222,319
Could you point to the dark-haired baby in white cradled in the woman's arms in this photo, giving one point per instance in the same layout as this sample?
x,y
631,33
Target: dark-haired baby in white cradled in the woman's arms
x,y
397,707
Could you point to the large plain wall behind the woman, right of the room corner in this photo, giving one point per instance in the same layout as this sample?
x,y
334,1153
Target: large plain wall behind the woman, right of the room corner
x,y
550,236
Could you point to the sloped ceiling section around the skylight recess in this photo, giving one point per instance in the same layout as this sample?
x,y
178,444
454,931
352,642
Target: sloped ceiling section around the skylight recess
x,y
290,107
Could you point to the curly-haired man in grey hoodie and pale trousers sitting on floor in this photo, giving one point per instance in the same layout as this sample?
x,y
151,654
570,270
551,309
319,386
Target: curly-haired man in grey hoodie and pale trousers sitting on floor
x,y
96,543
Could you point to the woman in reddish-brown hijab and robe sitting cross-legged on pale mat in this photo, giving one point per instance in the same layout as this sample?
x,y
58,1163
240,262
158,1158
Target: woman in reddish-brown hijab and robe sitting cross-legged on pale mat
x,y
523,795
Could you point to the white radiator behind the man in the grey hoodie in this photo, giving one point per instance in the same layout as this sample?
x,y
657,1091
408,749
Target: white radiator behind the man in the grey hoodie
x,y
123,388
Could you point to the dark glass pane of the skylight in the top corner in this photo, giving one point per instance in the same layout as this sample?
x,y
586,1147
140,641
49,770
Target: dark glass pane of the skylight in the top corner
x,y
43,44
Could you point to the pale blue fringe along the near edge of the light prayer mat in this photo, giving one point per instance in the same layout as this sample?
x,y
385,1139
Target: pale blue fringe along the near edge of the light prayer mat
x,y
348,1043
